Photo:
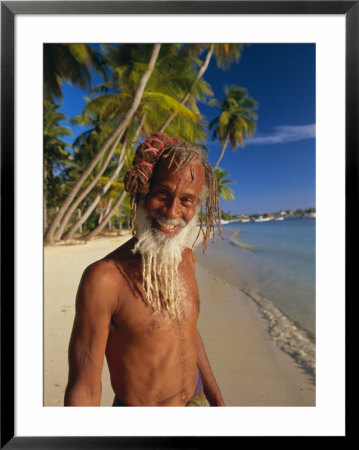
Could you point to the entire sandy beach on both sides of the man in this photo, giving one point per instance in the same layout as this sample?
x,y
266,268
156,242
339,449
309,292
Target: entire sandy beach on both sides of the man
x,y
250,369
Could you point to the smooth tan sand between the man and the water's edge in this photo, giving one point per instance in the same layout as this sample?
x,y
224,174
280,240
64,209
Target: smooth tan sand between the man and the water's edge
x,y
249,366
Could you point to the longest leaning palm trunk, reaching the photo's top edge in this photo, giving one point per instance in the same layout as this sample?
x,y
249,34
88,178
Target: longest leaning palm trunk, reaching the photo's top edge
x,y
49,237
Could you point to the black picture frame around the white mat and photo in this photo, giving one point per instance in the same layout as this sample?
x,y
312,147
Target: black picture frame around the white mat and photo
x,y
8,12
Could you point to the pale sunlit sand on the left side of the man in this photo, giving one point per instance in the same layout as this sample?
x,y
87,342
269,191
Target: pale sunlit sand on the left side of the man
x,y
63,267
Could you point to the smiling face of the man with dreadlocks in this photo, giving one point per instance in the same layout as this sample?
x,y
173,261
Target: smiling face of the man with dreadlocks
x,y
173,198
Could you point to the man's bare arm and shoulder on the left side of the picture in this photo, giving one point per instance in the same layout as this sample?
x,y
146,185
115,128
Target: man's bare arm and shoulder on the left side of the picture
x,y
95,302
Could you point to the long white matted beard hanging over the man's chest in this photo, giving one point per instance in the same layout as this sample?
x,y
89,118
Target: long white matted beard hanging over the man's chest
x,y
161,254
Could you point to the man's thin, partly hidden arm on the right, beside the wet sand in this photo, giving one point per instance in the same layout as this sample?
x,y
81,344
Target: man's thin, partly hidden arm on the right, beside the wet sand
x,y
210,385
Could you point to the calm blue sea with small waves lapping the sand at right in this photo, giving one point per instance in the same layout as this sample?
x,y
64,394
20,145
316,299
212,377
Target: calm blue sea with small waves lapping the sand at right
x,y
274,263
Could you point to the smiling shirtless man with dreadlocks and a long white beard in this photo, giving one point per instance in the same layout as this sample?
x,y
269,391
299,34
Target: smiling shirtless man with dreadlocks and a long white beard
x,y
140,304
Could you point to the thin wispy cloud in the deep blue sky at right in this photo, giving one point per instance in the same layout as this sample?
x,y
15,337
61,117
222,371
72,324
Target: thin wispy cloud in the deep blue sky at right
x,y
283,134
